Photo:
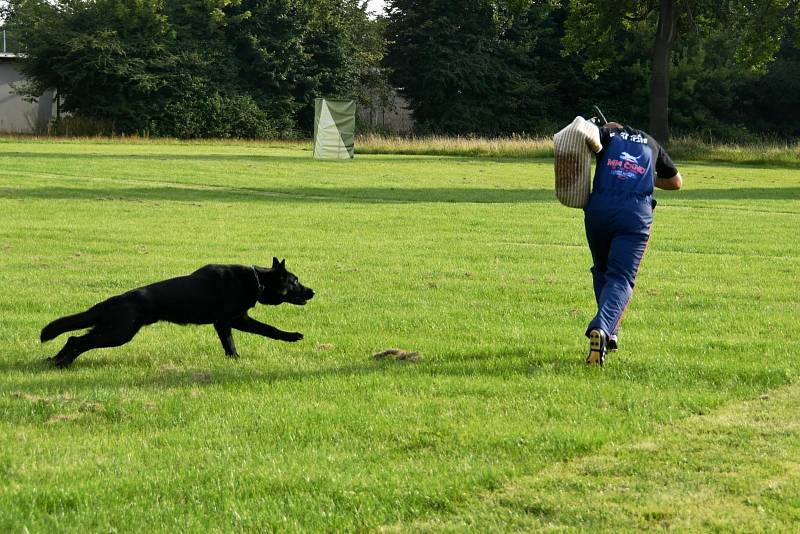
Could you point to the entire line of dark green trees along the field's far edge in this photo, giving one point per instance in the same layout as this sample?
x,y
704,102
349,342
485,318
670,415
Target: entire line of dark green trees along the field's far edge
x,y
724,69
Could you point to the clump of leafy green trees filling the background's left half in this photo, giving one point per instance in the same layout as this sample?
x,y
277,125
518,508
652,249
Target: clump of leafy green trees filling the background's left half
x,y
193,68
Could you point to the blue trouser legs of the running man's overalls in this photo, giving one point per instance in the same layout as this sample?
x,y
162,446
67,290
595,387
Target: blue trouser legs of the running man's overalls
x,y
618,230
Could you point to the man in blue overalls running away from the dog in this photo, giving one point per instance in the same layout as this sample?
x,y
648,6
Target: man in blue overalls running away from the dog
x,y
617,219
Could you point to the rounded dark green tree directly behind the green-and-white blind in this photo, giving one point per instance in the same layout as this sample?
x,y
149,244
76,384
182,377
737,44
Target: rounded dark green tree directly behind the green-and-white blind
x,y
289,52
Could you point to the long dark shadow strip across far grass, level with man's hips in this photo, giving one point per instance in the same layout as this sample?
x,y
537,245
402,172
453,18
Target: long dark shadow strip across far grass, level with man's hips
x,y
366,195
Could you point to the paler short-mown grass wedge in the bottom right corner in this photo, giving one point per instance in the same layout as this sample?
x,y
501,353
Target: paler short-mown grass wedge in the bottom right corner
x,y
733,470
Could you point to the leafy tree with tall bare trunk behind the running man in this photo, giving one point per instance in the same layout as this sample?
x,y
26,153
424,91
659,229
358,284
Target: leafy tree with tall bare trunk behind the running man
x,y
596,28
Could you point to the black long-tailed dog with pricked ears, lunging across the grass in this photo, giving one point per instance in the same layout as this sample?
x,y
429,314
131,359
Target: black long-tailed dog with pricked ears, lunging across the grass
x,y
214,294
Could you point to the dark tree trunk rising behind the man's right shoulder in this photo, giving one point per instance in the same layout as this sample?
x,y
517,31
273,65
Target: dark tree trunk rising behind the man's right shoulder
x,y
662,61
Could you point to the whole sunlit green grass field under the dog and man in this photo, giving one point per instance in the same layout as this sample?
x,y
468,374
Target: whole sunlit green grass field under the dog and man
x,y
694,424
